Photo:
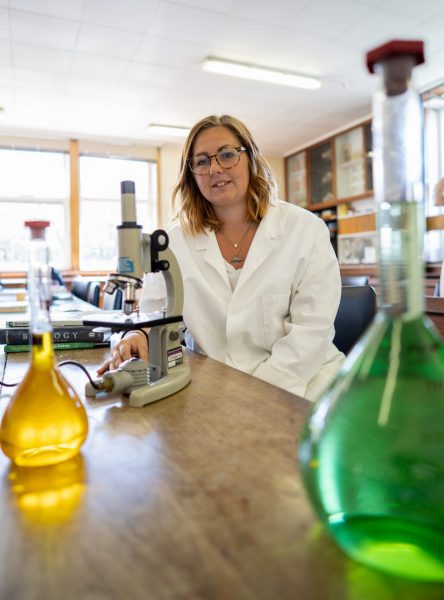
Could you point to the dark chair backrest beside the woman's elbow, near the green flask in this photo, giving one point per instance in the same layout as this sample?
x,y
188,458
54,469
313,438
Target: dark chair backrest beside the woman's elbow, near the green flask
x,y
356,311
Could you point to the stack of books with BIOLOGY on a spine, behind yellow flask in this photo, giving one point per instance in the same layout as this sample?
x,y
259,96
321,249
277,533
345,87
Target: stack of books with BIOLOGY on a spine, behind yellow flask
x,y
67,335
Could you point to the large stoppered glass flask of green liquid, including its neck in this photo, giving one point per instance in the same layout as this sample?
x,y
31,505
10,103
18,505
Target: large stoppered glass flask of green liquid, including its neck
x,y
372,452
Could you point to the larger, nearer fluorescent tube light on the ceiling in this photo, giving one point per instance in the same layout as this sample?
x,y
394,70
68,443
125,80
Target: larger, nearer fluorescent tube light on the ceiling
x,y
247,71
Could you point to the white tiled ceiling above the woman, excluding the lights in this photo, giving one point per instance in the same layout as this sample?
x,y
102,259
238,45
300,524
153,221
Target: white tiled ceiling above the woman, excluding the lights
x,y
105,69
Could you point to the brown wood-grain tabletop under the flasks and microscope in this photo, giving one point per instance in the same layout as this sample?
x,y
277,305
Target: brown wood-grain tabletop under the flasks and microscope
x,y
197,496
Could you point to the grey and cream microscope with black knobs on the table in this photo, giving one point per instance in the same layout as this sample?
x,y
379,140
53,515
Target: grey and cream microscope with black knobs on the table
x,y
141,253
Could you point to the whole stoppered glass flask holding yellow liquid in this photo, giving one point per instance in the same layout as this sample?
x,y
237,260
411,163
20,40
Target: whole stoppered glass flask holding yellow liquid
x,y
45,422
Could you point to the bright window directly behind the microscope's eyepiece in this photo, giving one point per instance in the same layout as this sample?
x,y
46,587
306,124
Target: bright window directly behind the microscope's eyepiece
x,y
100,179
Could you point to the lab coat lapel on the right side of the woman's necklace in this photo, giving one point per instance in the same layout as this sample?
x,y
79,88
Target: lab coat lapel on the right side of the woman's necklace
x,y
265,240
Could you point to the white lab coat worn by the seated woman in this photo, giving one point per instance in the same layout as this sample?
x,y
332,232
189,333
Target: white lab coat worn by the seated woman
x,y
277,324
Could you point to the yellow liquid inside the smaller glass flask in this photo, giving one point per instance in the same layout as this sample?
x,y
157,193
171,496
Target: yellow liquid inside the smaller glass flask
x,y
45,422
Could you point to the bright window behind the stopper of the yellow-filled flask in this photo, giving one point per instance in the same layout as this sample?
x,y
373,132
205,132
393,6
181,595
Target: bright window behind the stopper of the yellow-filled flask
x,y
33,184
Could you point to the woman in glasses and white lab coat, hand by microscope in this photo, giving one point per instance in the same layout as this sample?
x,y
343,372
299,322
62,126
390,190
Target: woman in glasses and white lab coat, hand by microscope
x,y
261,281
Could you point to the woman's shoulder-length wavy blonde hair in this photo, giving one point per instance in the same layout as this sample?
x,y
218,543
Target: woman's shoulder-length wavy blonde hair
x,y
193,211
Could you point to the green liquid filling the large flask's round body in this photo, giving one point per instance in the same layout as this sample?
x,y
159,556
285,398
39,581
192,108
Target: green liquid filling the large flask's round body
x,y
372,453
